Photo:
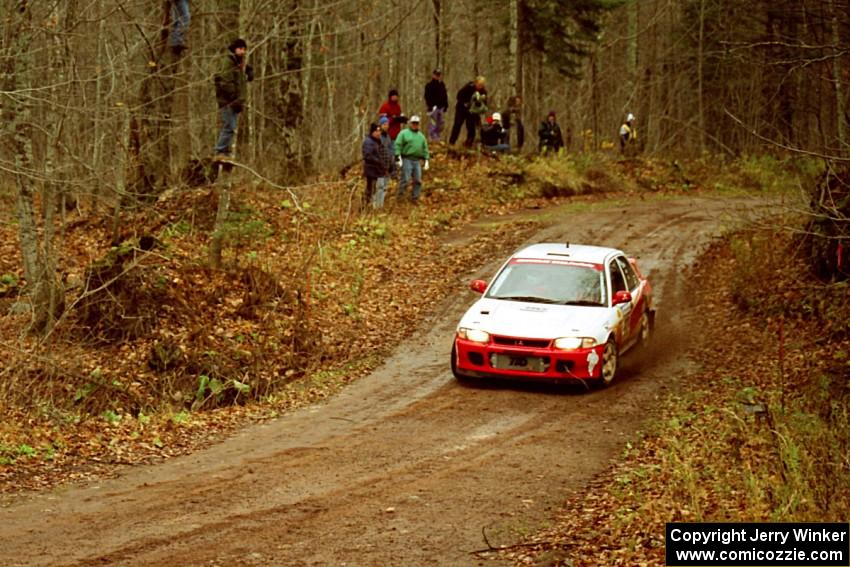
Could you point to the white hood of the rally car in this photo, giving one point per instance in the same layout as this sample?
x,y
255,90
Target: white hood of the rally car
x,y
537,320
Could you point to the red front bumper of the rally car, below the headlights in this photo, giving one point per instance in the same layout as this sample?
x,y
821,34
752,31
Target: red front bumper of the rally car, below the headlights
x,y
478,360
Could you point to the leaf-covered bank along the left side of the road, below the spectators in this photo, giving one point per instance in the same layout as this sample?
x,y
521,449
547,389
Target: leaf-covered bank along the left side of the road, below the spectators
x,y
157,353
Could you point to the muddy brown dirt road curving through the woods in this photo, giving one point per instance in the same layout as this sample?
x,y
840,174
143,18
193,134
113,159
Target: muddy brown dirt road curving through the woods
x,y
406,466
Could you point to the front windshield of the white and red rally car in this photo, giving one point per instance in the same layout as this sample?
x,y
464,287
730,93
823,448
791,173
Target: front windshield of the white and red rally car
x,y
555,283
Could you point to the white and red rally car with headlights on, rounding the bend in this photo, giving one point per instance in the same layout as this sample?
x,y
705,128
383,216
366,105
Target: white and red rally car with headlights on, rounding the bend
x,y
560,312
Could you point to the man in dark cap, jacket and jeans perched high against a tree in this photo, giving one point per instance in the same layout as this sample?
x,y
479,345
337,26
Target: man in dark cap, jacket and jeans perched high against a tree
x,y
231,91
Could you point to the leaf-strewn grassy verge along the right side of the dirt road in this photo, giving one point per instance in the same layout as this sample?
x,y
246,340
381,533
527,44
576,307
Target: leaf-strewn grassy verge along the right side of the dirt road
x,y
759,433
